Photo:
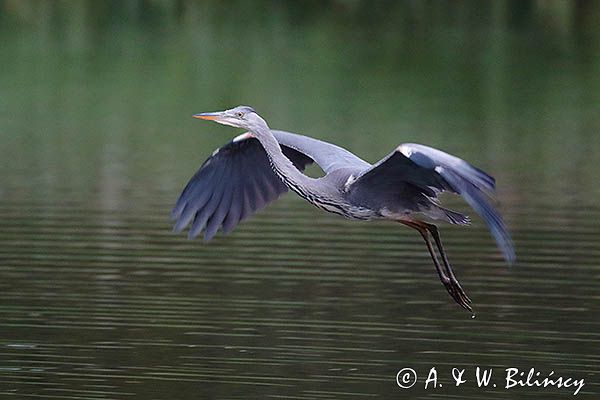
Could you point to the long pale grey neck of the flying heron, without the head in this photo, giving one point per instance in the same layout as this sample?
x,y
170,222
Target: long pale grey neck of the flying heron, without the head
x,y
283,167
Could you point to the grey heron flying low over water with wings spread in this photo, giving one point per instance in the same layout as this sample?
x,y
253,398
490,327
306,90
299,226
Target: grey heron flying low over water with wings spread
x,y
261,164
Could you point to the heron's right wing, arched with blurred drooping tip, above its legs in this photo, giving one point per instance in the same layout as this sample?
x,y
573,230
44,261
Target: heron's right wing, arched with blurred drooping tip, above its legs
x,y
427,171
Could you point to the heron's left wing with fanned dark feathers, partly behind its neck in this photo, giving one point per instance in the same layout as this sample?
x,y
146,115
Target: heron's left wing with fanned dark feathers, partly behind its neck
x,y
232,184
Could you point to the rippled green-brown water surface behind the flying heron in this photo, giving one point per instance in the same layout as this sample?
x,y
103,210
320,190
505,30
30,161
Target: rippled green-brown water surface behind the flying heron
x,y
98,299
